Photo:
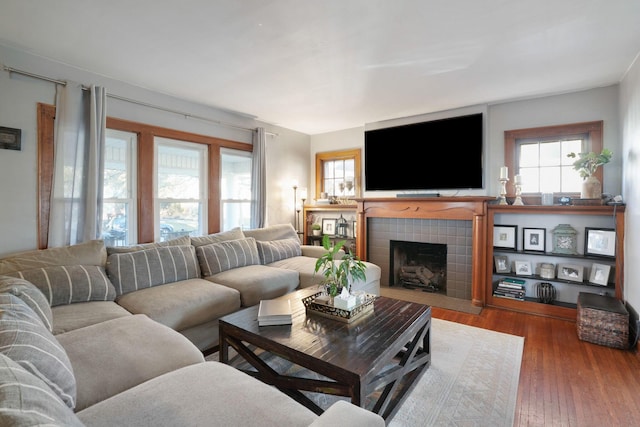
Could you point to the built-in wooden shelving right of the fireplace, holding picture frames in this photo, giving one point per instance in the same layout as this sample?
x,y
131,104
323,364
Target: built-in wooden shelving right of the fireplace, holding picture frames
x,y
547,217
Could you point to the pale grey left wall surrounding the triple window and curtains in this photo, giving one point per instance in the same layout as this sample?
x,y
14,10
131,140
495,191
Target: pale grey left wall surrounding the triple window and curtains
x,y
287,152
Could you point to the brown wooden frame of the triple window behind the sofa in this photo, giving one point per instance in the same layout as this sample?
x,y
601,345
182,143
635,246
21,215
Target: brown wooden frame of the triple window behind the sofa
x,y
145,170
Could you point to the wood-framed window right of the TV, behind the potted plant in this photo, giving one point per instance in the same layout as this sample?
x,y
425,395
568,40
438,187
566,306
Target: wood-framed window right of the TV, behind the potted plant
x,y
539,156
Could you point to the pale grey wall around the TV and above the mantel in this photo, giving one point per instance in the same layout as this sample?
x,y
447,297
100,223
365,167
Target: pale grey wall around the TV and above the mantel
x,y
584,106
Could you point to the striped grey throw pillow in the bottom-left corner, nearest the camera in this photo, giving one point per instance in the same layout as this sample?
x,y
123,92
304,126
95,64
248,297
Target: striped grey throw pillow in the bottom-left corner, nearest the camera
x,y
25,400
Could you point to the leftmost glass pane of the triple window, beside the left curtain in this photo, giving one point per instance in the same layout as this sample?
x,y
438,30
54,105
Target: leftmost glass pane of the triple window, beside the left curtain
x,y
119,225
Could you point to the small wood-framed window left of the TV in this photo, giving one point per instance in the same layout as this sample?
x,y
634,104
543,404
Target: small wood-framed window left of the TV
x,y
338,173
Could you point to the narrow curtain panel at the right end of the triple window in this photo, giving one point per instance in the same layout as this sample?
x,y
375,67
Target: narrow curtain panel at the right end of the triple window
x,y
258,179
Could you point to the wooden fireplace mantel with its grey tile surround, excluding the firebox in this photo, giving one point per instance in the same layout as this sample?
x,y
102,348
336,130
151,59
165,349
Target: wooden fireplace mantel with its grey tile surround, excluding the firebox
x,y
460,222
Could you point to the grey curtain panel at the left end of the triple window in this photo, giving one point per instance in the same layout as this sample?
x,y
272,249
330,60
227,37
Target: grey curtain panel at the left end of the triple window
x,y
76,205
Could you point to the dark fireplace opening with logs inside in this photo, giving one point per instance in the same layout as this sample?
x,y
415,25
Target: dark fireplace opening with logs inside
x,y
418,265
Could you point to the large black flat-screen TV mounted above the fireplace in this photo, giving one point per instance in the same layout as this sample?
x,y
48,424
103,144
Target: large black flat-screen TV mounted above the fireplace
x,y
443,154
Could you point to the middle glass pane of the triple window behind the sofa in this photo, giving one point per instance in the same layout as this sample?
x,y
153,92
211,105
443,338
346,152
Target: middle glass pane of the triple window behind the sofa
x,y
180,188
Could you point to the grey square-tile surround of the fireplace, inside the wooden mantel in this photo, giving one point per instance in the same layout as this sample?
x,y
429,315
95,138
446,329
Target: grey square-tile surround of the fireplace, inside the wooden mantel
x,y
456,234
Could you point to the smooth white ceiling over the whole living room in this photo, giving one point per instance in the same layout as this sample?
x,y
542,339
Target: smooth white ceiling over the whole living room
x,y
320,66
